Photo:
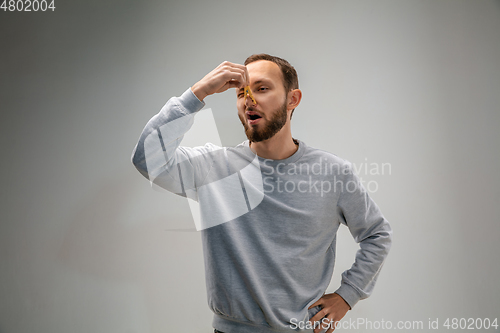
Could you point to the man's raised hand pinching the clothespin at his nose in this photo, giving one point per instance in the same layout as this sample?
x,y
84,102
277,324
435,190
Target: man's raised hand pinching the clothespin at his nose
x,y
226,75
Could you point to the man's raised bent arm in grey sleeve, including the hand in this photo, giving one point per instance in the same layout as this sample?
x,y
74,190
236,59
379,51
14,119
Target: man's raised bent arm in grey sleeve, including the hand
x,y
157,155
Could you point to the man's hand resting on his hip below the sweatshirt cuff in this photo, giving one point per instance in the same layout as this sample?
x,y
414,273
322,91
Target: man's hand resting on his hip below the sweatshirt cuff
x,y
333,308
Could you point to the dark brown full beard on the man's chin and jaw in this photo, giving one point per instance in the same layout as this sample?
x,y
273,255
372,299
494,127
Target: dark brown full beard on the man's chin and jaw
x,y
272,126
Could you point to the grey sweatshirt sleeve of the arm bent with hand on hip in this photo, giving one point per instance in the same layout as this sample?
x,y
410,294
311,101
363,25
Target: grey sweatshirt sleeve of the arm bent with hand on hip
x,y
370,230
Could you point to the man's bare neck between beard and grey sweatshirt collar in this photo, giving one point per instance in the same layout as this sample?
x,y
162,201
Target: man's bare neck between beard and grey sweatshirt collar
x,y
279,147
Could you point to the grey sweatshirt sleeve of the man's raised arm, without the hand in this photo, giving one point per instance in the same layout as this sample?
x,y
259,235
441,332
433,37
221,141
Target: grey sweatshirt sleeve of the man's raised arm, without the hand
x,y
158,155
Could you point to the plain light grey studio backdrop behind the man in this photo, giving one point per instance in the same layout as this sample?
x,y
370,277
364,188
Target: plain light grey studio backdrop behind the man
x,y
87,246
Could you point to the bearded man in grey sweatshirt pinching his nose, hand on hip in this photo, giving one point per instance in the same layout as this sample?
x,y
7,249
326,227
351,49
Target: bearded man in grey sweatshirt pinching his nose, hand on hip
x,y
270,207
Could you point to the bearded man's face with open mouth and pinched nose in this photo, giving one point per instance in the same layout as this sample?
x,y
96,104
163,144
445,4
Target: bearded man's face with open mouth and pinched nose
x,y
264,120
